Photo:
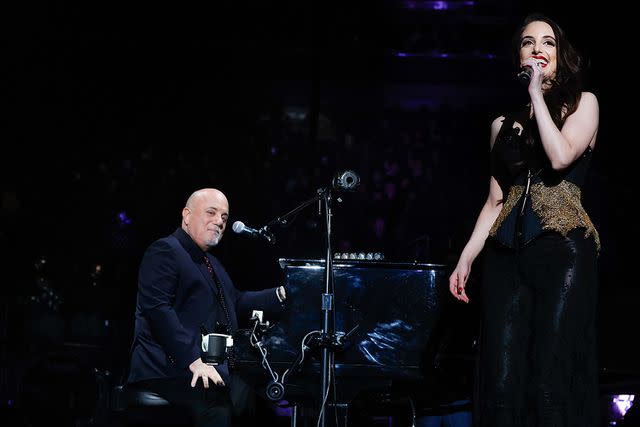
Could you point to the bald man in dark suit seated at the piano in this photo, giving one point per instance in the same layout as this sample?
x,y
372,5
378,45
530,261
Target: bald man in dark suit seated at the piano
x,y
183,290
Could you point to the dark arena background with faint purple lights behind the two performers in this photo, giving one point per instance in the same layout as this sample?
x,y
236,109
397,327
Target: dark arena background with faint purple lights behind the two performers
x,y
115,112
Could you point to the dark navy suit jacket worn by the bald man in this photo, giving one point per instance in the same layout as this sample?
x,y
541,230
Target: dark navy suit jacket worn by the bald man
x,y
176,296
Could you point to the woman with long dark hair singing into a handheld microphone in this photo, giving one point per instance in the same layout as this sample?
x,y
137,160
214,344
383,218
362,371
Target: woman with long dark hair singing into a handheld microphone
x,y
537,364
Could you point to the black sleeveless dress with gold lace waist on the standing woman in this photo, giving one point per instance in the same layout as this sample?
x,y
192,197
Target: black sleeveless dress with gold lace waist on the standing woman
x,y
537,364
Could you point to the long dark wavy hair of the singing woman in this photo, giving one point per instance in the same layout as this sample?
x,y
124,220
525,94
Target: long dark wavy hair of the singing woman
x,y
566,87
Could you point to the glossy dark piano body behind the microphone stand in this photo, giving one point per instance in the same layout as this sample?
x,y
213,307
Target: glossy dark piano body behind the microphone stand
x,y
395,306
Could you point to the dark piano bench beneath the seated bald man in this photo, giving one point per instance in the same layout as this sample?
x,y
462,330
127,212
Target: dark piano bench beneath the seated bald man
x,y
138,407
